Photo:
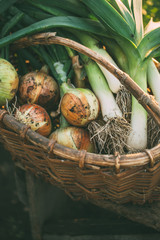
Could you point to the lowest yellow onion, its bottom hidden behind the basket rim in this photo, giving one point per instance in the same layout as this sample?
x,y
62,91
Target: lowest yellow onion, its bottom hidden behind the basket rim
x,y
73,137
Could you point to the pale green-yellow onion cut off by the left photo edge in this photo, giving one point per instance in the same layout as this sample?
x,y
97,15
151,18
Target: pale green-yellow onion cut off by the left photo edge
x,y
8,81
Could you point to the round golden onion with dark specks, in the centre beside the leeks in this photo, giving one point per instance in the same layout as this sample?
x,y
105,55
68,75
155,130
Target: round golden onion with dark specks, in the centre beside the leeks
x,y
79,106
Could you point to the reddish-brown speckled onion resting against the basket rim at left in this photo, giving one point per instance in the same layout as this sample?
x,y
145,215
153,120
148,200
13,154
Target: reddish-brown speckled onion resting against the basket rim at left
x,y
36,117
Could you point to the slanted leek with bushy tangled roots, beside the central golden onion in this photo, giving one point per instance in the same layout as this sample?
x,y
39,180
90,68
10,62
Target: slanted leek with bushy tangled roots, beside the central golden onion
x,y
109,135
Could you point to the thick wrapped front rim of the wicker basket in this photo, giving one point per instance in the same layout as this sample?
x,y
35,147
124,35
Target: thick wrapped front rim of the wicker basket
x,y
147,157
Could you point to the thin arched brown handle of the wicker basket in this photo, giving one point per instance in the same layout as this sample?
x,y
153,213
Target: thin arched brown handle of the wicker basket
x,y
146,100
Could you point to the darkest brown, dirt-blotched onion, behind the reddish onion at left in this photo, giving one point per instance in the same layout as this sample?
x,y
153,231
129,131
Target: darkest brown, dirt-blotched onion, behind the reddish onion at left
x,y
39,88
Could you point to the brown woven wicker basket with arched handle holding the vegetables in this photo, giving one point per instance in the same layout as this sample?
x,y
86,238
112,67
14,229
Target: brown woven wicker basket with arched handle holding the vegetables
x,y
82,175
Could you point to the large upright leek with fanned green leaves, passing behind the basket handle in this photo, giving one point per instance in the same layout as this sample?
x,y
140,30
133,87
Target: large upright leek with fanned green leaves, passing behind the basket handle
x,y
124,20
